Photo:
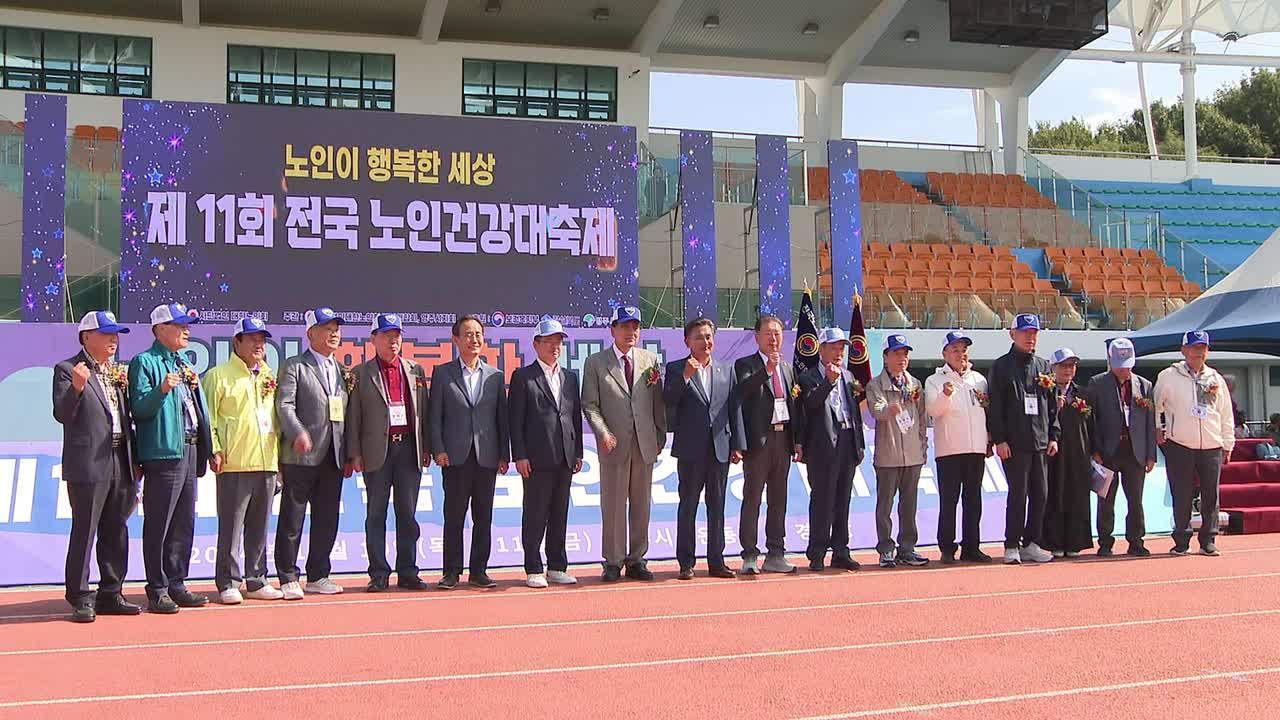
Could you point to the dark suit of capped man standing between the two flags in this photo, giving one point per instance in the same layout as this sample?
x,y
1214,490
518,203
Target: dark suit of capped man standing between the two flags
x,y
833,454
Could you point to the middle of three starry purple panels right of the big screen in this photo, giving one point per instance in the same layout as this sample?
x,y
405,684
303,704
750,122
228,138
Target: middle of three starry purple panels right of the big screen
x,y
774,213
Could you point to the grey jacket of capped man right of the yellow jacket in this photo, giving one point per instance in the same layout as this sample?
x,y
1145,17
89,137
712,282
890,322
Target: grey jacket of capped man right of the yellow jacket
x,y
303,404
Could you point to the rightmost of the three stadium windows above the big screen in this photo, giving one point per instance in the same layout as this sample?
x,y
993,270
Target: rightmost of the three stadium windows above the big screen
x,y
540,90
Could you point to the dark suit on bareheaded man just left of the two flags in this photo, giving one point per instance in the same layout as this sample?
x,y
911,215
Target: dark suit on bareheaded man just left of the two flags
x,y
770,446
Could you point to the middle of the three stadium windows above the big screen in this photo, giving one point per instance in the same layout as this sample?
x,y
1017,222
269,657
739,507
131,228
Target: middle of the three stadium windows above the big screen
x,y
314,79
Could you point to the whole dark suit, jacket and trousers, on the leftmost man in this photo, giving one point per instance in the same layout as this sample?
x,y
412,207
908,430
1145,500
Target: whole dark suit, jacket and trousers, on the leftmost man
x,y
100,484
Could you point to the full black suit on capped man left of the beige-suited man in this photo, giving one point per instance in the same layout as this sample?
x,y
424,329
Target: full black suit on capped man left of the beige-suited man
x,y
548,435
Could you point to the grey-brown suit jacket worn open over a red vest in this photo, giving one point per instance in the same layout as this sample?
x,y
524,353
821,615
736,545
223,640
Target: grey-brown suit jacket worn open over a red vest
x,y
369,420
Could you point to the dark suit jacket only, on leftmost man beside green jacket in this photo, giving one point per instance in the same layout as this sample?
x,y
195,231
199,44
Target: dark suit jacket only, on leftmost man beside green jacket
x,y
86,422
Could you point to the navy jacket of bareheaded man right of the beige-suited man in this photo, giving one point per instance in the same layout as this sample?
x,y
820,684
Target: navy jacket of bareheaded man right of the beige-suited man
x,y
698,421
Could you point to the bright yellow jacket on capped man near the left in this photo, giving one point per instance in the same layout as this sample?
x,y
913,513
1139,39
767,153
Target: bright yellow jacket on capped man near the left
x,y
236,402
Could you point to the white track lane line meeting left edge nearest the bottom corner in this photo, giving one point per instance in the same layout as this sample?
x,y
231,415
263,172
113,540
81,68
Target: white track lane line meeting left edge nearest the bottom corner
x,y
664,663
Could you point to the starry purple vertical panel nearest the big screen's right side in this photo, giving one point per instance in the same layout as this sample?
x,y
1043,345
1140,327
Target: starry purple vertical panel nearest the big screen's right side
x,y
698,224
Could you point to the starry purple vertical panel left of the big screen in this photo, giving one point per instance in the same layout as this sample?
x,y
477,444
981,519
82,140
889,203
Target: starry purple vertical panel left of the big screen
x,y
44,197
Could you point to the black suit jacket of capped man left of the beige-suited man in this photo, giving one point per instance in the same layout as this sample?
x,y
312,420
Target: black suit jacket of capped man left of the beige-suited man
x,y
546,434
